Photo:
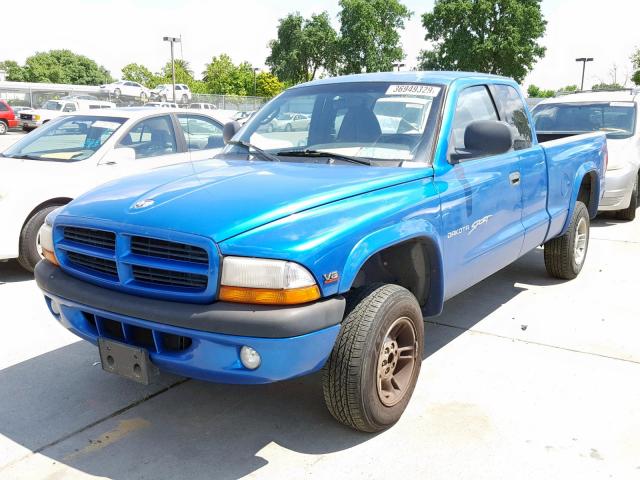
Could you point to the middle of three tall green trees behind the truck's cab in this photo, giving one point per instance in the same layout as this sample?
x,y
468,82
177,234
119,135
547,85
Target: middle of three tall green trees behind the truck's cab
x,y
369,34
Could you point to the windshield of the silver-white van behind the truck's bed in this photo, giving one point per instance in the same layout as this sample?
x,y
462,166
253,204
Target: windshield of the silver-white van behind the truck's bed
x,y
617,119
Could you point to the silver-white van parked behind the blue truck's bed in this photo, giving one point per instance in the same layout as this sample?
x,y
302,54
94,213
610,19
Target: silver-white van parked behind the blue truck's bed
x,y
615,113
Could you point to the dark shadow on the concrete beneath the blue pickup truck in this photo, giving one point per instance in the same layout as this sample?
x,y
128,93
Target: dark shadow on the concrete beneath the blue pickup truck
x,y
191,429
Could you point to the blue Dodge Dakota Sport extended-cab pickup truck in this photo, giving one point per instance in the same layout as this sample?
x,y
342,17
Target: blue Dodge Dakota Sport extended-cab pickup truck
x,y
322,244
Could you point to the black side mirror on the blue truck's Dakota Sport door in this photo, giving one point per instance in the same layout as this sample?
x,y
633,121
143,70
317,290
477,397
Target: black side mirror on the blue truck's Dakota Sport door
x,y
482,139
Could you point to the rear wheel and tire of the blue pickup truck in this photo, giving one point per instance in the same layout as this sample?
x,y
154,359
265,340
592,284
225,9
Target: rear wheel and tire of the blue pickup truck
x,y
564,256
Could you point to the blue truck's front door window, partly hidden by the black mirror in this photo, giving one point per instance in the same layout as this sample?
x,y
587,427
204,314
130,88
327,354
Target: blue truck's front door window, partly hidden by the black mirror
x,y
474,103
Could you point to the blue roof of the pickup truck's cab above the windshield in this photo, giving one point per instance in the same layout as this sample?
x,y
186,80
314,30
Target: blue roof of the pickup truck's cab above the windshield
x,y
442,78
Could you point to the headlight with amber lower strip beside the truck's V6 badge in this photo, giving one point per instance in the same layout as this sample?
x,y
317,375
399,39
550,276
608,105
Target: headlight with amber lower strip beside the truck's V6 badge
x,y
266,282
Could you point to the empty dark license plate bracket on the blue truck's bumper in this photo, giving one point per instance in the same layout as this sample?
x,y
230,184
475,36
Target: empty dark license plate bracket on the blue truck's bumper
x,y
127,361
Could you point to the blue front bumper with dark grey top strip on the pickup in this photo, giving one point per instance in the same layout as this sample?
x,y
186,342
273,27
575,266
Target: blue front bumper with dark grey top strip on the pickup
x,y
188,339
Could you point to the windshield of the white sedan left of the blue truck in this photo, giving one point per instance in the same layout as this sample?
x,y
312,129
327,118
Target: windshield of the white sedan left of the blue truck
x,y
66,139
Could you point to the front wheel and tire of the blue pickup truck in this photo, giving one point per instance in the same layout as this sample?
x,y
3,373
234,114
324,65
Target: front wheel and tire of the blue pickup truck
x,y
355,374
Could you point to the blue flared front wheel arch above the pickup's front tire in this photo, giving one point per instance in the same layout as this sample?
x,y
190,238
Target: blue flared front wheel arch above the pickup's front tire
x,y
409,257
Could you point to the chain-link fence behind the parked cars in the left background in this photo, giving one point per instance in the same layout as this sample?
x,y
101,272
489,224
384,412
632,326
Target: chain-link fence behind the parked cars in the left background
x,y
34,95
